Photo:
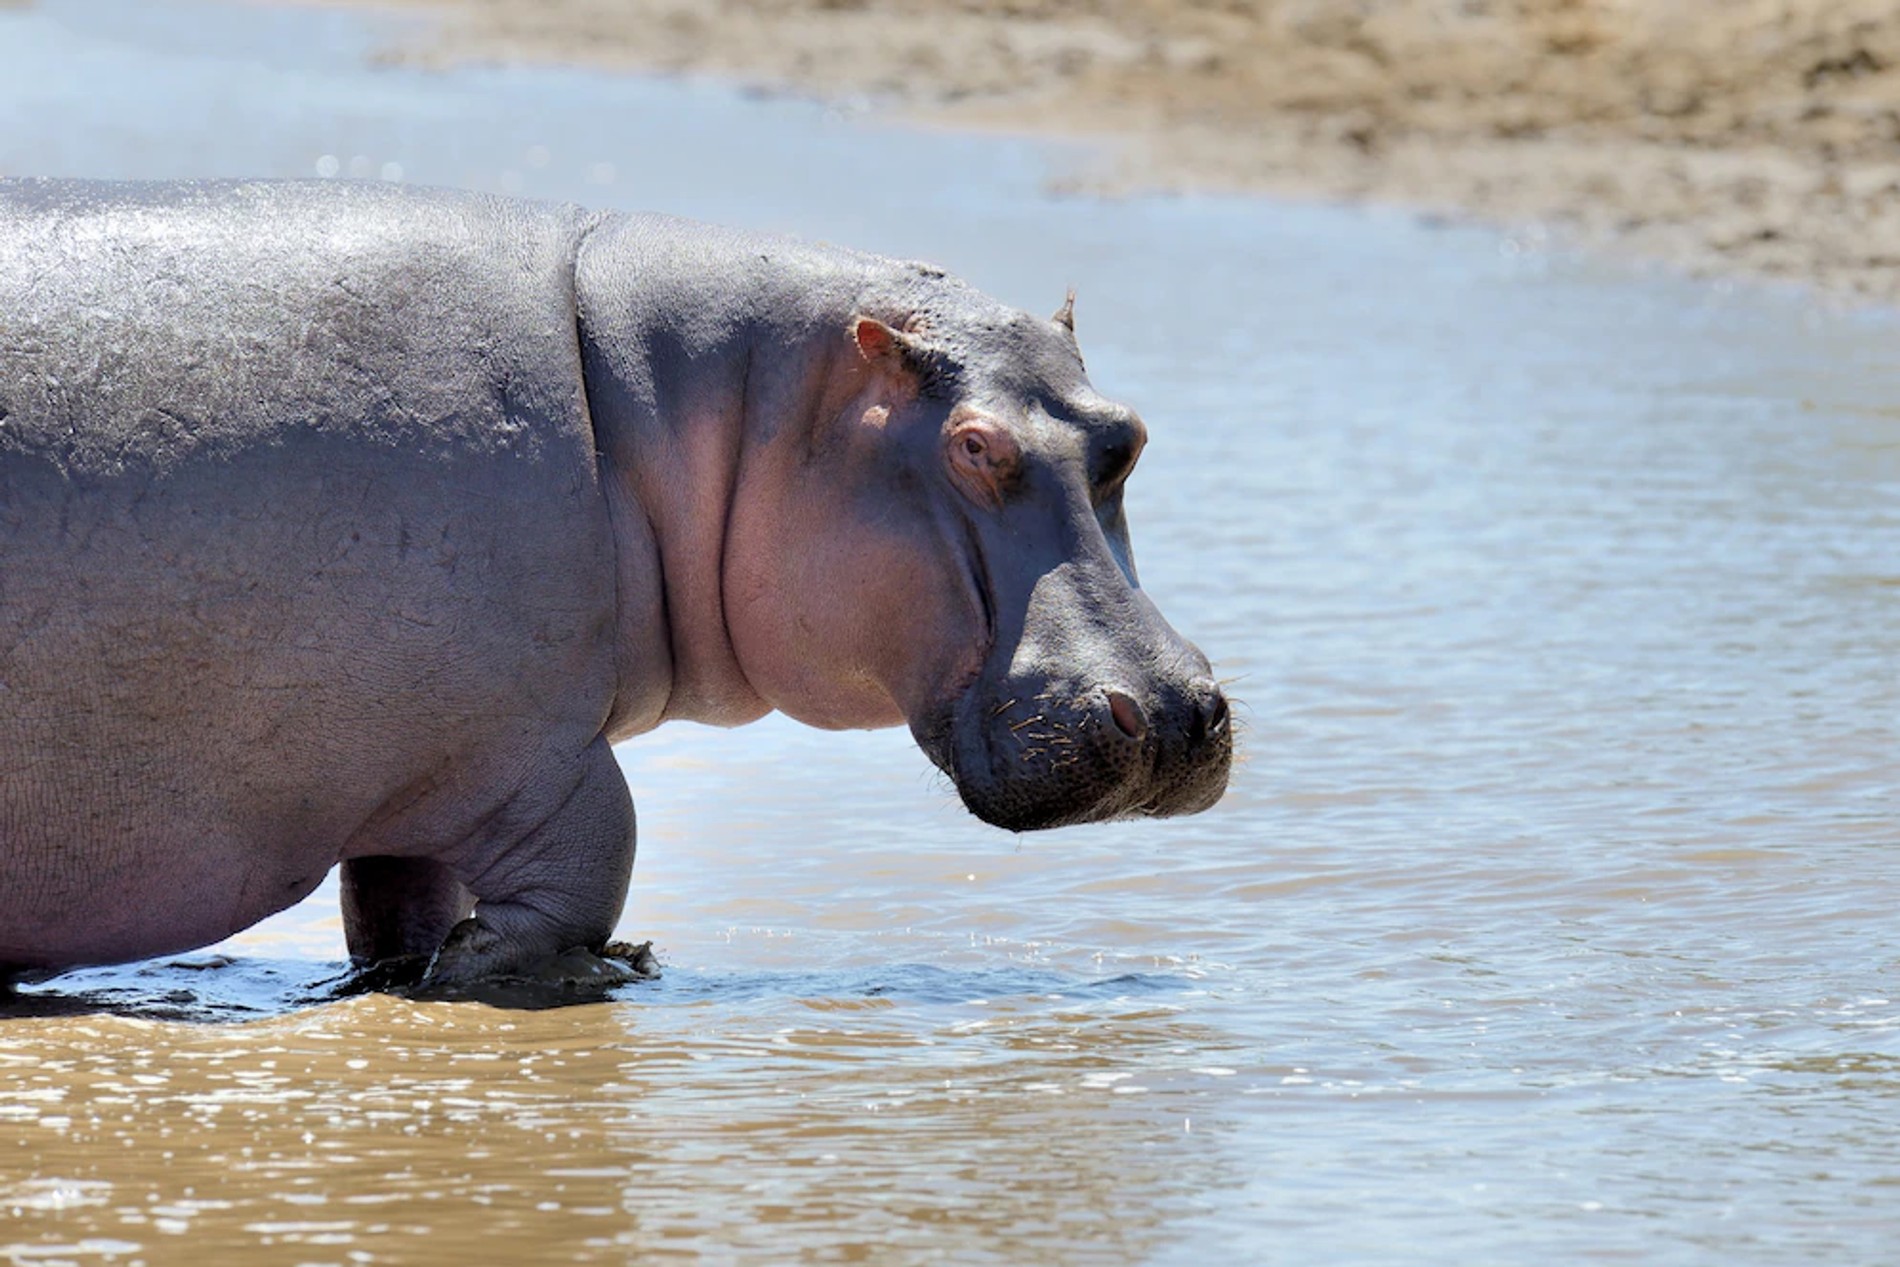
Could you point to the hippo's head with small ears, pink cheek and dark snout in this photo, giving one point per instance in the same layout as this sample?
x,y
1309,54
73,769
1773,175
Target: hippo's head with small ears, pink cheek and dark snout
x,y
959,556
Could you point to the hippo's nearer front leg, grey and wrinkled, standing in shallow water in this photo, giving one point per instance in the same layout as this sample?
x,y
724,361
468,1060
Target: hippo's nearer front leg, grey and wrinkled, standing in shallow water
x,y
548,894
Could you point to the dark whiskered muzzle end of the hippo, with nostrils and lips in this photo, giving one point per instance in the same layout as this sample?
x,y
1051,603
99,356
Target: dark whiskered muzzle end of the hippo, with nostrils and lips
x,y
1029,759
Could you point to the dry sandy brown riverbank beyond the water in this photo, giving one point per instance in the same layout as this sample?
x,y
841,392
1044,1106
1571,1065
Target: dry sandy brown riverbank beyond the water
x,y
1722,136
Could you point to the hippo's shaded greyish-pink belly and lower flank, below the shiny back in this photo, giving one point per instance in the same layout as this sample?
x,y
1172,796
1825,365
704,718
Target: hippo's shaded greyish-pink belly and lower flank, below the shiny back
x,y
214,717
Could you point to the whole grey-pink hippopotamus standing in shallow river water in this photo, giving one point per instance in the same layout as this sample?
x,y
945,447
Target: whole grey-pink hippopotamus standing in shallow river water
x,y
354,523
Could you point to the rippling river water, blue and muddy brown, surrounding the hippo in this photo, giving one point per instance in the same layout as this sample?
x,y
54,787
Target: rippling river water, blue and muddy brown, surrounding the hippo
x,y
1549,917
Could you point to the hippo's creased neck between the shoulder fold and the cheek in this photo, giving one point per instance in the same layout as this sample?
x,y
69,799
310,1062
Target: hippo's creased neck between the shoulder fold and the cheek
x,y
698,349
